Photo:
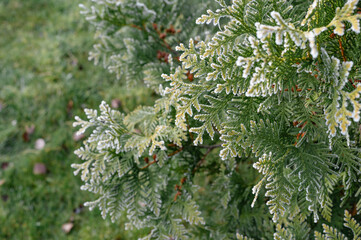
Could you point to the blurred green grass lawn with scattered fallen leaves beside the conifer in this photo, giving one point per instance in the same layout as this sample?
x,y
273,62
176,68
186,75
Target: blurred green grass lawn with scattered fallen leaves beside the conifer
x,y
46,80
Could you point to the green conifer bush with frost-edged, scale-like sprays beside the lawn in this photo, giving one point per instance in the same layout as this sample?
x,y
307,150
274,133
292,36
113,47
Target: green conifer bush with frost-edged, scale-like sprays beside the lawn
x,y
254,132
